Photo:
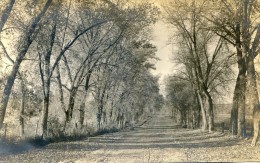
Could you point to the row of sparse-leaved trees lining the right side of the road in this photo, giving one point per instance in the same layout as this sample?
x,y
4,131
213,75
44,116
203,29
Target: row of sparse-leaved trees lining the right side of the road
x,y
212,36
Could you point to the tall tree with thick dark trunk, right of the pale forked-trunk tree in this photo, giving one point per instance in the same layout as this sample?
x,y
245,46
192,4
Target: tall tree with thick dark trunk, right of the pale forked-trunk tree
x,y
238,23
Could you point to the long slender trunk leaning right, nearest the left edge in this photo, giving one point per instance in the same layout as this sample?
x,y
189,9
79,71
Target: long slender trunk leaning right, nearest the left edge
x,y
24,48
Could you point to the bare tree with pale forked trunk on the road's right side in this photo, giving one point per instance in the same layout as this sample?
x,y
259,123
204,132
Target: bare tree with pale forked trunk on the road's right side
x,y
206,70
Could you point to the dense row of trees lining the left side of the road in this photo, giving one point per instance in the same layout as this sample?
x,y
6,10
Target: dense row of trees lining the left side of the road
x,y
73,57
